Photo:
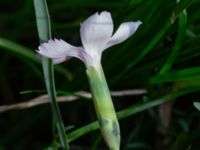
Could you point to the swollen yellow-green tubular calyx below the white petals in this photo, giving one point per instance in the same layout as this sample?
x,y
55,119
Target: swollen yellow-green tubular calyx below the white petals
x,y
104,107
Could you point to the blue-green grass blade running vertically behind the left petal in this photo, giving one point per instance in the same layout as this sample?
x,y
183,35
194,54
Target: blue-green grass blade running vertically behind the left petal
x,y
44,32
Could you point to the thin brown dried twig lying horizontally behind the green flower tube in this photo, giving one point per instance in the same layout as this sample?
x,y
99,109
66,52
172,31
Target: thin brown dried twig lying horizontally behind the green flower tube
x,y
43,99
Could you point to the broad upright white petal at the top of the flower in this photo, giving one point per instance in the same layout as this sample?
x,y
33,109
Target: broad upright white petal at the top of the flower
x,y
96,32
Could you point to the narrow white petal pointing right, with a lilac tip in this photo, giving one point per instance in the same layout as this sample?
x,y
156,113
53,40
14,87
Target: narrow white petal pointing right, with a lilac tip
x,y
124,31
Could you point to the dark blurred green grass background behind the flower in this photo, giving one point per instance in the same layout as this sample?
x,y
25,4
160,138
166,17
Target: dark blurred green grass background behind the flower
x,y
161,58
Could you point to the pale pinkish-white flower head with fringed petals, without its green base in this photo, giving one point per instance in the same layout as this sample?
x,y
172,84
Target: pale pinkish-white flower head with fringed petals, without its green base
x,y
96,35
